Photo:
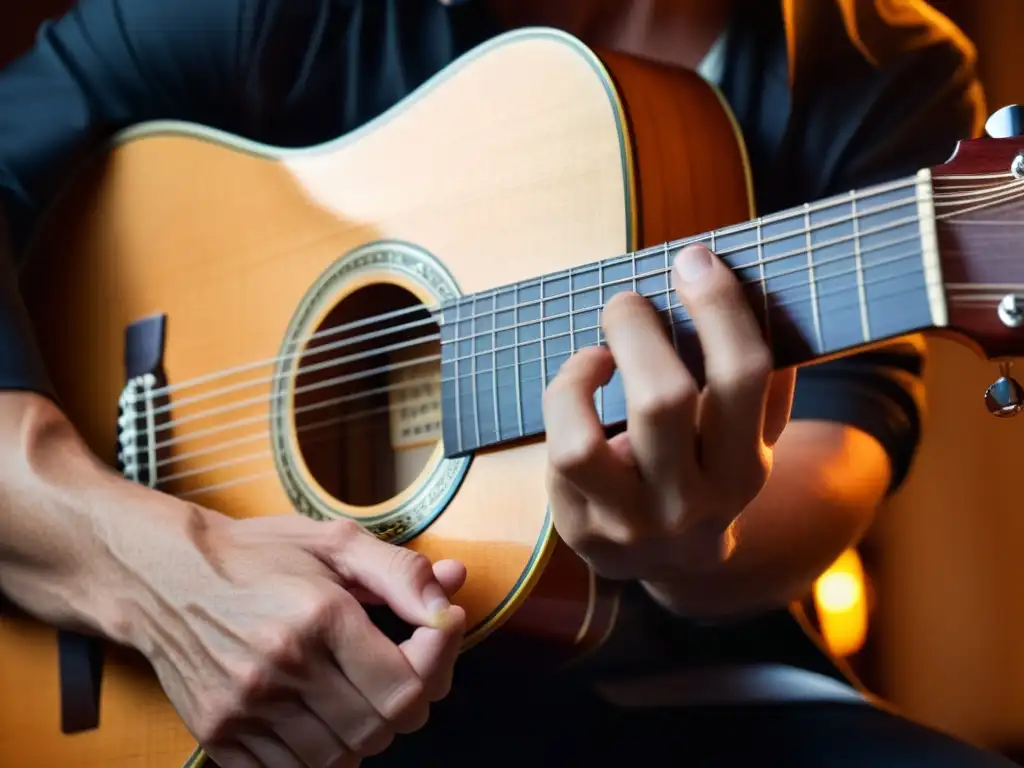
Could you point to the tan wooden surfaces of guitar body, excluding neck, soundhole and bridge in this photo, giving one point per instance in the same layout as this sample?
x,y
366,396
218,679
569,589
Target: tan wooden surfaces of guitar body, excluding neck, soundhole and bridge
x,y
509,166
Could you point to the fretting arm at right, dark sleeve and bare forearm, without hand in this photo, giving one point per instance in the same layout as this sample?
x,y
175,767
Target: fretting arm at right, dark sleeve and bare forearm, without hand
x,y
856,422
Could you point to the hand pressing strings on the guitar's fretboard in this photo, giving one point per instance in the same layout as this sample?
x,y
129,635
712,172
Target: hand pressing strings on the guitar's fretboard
x,y
663,497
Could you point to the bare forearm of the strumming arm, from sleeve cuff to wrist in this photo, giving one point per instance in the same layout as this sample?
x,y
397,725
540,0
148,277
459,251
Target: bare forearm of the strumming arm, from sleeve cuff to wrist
x,y
64,519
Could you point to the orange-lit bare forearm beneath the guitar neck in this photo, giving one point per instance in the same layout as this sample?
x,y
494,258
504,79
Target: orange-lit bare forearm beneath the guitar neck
x,y
827,483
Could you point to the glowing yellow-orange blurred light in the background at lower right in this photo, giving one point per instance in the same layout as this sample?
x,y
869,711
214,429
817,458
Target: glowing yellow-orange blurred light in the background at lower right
x,y
841,602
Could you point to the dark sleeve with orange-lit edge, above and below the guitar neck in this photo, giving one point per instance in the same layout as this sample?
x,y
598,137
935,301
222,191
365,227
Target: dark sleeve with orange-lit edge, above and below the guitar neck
x,y
908,93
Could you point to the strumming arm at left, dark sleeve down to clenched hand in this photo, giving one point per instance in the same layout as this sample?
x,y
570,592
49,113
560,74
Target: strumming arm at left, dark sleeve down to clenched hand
x,y
228,612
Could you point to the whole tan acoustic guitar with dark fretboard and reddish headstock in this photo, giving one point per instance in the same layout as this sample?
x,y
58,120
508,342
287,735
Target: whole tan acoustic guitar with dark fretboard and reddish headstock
x,y
364,329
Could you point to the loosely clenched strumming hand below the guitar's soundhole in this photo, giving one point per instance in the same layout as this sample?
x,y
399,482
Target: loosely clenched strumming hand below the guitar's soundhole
x,y
260,638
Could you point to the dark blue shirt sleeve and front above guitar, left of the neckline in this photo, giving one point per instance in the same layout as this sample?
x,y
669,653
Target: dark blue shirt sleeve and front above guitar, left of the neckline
x,y
288,73
